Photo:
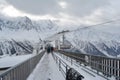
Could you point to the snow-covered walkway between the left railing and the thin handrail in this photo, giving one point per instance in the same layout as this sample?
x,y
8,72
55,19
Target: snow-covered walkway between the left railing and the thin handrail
x,y
46,70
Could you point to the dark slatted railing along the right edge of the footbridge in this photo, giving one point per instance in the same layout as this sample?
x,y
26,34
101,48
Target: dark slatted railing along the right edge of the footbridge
x,y
107,66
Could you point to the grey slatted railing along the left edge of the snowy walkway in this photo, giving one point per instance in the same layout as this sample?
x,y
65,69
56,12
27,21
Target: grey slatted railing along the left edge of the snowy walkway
x,y
23,70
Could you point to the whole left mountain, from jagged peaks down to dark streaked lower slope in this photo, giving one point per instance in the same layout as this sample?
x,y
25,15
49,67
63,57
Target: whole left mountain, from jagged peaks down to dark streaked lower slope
x,y
24,31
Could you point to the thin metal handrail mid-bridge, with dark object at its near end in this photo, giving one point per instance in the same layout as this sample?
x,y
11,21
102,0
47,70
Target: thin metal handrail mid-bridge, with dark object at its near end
x,y
66,70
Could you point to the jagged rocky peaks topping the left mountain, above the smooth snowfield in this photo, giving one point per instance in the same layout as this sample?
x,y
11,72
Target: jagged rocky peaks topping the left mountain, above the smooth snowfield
x,y
25,23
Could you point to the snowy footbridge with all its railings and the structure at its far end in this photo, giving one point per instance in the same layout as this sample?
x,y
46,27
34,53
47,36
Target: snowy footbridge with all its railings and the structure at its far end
x,y
62,65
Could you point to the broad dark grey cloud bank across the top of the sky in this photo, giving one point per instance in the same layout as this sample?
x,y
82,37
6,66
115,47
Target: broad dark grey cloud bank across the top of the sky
x,y
73,7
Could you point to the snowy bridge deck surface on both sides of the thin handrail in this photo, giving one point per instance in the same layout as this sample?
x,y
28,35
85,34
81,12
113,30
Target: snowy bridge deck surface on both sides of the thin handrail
x,y
47,69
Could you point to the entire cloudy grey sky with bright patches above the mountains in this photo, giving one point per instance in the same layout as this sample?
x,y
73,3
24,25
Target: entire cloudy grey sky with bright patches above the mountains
x,y
66,11
